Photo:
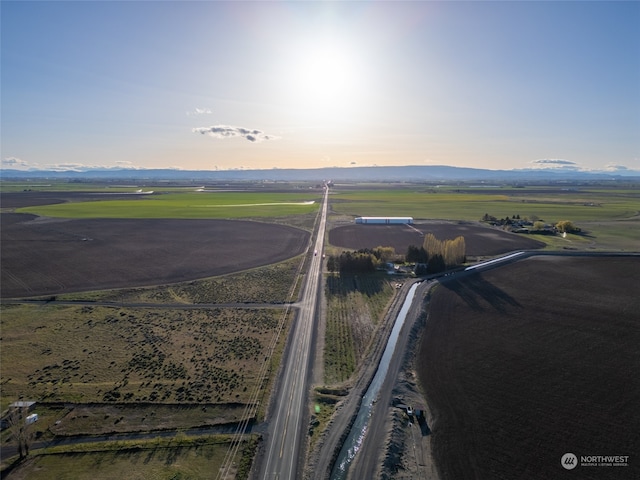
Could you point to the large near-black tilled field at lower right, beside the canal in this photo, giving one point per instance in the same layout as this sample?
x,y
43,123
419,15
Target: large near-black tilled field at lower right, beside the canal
x,y
527,362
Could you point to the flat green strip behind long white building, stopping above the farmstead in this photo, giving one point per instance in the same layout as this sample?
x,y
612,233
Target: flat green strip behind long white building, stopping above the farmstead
x,y
445,204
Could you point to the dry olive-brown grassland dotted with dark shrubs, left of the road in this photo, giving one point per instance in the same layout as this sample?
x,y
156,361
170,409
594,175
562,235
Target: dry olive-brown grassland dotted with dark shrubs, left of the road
x,y
86,354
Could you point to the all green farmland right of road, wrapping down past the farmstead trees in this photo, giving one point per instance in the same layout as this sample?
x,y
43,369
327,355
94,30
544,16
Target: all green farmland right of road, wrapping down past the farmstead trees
x,y
609,218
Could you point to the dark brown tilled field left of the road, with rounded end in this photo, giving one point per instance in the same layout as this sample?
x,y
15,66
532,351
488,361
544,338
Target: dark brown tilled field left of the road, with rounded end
x,y
51,256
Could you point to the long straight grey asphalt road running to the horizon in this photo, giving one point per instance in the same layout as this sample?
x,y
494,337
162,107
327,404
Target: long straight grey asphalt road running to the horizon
x,y
287,429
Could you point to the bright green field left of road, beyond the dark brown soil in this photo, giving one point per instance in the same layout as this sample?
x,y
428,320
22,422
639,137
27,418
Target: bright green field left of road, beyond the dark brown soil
x,y
187,205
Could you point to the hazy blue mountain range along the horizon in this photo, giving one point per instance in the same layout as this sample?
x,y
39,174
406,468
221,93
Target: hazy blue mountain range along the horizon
x,y
425,173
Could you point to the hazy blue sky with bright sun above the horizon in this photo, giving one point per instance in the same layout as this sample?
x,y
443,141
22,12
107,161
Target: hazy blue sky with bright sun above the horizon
x,y
217,85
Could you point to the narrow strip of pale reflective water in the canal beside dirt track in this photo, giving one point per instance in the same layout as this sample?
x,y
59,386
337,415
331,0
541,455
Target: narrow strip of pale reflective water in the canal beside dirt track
x,y
358,430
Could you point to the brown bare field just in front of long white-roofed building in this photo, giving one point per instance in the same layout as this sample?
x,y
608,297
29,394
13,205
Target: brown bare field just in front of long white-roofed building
x,y
479,240
